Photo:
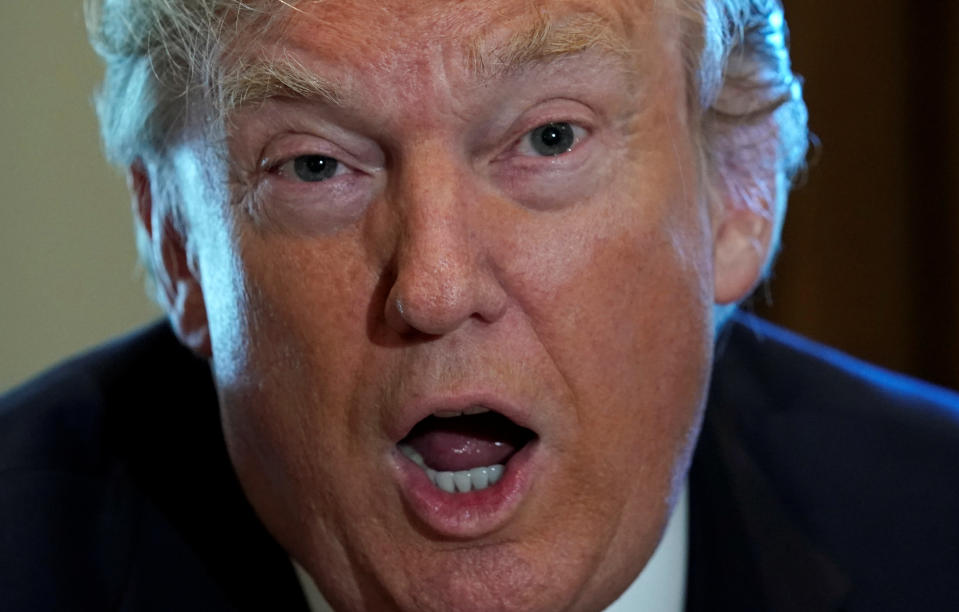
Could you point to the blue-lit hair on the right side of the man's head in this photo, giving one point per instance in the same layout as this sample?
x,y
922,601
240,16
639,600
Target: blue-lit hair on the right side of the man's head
x,y
753,121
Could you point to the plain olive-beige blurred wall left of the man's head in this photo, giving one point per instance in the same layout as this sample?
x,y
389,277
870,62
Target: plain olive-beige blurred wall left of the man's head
x,y
68,276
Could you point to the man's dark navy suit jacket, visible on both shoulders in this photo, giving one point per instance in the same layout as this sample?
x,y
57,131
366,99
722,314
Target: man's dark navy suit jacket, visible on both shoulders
x,y
819,483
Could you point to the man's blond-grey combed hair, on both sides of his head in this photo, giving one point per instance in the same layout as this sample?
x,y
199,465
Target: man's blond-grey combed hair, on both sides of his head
x,y
164,63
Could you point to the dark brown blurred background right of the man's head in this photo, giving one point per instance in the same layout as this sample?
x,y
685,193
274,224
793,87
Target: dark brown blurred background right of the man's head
x,y
870,259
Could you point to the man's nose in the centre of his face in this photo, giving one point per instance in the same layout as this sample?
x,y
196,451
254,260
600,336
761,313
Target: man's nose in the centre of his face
x,y
444,273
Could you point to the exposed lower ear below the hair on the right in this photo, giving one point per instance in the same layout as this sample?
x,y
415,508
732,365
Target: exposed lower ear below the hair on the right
x,y
741,247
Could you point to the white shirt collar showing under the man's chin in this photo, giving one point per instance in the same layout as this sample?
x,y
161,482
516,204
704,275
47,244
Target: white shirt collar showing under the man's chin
x,y
661,586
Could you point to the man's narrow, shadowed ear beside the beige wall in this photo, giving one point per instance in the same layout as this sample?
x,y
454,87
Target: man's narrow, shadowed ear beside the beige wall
x,y
175,270
